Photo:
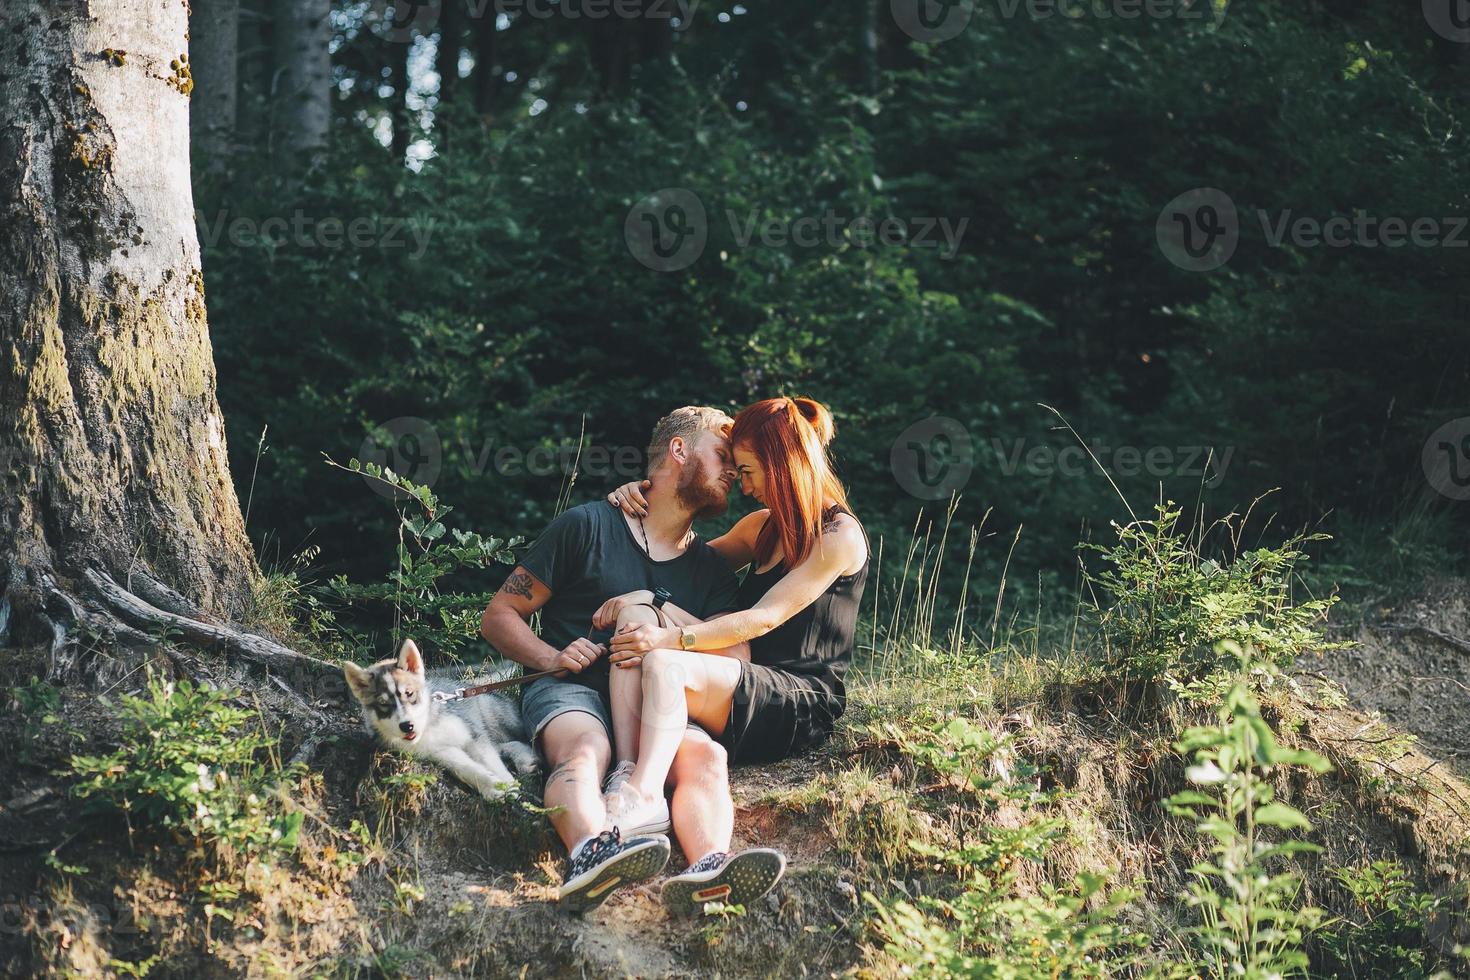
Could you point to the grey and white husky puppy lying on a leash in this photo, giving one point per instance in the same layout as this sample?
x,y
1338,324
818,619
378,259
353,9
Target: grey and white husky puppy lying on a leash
x,y
464,737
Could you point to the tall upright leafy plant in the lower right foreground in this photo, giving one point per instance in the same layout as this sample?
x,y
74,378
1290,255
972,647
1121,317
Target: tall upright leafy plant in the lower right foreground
x,y
1252,925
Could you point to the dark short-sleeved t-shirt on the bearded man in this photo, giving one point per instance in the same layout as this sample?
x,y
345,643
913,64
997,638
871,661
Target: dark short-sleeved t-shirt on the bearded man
x,y
589,555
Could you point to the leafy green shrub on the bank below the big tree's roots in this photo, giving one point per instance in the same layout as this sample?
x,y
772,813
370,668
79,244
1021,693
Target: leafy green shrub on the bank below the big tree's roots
x,y
195,763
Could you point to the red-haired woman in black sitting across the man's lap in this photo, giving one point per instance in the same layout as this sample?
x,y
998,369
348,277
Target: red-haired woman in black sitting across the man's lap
x,y
767,681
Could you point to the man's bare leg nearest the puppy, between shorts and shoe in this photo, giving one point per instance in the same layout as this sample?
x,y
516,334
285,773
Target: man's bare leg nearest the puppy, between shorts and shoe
x,y
577,750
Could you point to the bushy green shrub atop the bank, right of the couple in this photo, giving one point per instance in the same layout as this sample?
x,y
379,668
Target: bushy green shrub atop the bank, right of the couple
x,y
1171,605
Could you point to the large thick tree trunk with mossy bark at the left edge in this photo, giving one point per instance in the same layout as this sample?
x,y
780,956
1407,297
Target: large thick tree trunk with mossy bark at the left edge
x,y
114,444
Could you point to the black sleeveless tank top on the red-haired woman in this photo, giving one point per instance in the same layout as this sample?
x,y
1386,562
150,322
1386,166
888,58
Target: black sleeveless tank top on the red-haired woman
x,y
818,641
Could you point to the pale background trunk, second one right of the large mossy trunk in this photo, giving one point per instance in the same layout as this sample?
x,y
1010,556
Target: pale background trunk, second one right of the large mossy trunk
x,y
304,33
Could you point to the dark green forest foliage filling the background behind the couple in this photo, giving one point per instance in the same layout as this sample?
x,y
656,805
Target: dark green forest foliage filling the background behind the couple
x,y
524,324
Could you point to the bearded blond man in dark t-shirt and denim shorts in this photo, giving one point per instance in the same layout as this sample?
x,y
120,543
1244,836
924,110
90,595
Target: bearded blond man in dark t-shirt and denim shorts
x,y
587,556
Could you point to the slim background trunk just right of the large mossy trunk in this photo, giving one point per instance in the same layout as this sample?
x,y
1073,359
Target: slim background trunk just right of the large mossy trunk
x,y
214,54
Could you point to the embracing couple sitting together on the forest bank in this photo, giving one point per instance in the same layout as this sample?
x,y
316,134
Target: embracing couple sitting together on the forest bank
x,y
674,662
